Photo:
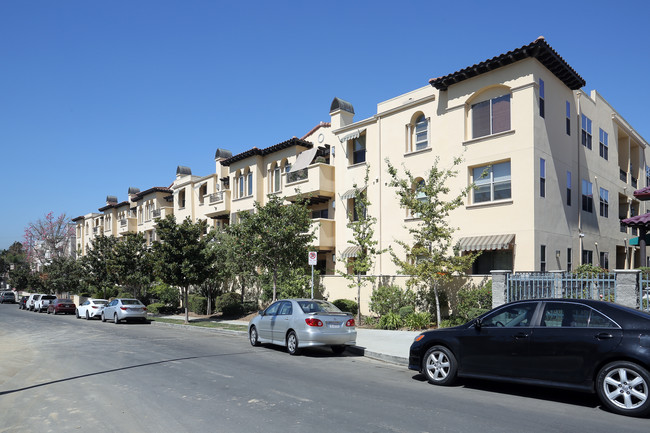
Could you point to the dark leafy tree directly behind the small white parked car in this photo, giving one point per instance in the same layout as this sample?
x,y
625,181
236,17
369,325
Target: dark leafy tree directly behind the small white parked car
x,y
97,264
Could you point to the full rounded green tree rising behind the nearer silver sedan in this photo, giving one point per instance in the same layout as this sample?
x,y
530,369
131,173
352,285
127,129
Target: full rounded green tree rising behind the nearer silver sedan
x,y
278,236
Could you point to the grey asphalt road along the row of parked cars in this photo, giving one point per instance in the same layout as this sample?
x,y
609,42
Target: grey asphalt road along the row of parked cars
x,y
60,374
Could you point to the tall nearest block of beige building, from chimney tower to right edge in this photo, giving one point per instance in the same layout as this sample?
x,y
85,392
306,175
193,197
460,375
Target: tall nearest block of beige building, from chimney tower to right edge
x,y
562,164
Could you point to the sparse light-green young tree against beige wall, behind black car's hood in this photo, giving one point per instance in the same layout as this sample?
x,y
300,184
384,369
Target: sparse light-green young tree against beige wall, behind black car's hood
x,y
430,258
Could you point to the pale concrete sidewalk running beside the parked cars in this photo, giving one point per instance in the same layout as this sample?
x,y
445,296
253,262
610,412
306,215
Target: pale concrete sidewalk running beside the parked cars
x,y
388,346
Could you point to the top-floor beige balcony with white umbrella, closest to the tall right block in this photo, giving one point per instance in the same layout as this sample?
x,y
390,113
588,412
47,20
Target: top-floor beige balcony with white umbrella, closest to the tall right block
x,y
317,180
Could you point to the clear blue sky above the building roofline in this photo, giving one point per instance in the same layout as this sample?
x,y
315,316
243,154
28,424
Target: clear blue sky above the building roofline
x,y
98,96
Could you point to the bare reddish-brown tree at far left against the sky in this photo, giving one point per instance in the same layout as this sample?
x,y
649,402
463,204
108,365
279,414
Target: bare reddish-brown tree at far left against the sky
x,y
48,238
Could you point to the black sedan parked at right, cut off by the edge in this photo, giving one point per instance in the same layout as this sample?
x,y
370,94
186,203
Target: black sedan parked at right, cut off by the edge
x,y
583,345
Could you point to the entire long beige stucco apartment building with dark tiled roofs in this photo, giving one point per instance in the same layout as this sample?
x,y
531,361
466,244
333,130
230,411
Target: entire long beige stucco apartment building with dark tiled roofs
x,y
555,169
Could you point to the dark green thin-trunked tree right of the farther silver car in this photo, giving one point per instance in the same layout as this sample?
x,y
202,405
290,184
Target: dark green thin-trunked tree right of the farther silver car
x,y
180,255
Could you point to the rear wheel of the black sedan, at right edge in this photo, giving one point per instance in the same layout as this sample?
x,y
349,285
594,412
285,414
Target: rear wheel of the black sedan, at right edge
x,y
623,387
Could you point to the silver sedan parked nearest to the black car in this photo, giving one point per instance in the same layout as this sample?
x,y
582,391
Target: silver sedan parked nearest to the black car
x,y
298,323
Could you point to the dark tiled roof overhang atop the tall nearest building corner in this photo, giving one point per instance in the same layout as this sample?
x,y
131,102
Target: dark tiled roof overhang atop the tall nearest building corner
x,y
539,49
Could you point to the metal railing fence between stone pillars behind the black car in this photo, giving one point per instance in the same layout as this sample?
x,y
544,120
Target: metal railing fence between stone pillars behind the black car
x,y
531,285
